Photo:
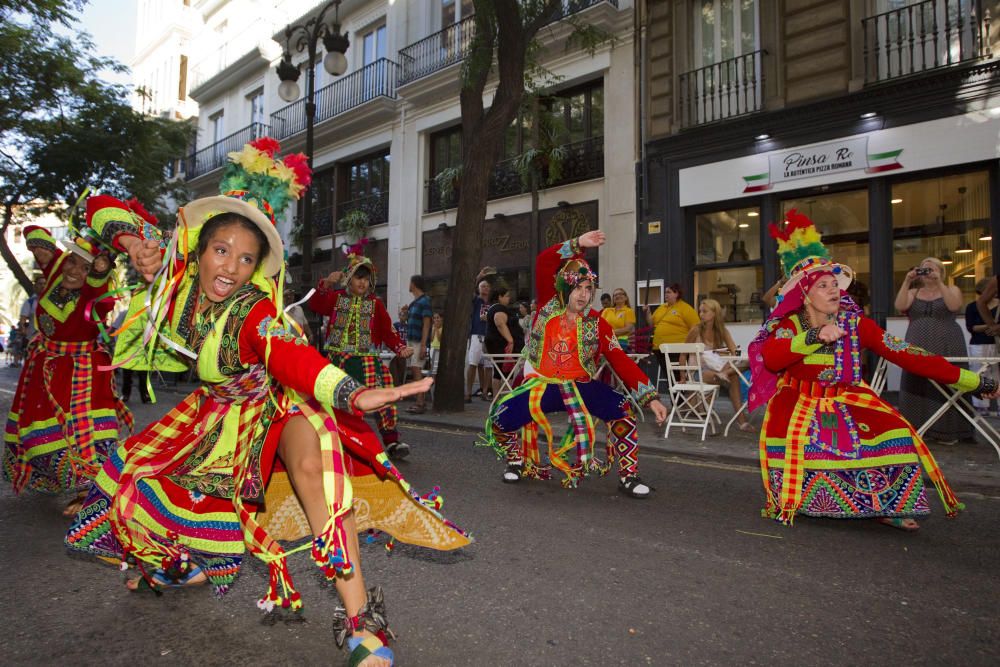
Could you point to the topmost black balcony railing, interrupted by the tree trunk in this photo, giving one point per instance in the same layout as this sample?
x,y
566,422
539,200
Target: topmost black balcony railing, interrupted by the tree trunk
x,y
451,45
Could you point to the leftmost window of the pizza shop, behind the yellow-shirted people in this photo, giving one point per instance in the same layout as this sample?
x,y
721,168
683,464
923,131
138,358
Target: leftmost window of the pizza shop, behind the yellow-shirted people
x,y
727,255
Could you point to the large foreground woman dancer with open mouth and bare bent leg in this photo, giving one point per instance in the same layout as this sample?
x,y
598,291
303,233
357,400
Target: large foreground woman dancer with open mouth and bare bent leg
x,y
179,499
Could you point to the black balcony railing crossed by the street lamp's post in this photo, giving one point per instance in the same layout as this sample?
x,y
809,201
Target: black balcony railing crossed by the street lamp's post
x,y
377,79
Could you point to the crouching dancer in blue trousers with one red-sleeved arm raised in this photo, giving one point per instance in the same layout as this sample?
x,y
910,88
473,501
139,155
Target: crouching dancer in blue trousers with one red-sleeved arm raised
x,y
567,340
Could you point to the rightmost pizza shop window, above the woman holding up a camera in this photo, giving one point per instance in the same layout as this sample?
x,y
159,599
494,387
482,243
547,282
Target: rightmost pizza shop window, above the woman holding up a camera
x,y
947,218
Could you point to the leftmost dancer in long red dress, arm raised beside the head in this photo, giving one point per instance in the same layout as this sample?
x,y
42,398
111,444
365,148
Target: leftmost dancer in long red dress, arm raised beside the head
x,y
65,417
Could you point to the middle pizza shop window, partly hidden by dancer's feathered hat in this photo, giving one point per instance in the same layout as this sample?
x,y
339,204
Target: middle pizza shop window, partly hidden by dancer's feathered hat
x,y
842,220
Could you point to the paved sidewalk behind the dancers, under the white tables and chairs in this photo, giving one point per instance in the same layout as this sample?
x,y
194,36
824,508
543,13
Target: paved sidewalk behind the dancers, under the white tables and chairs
x,y
967,466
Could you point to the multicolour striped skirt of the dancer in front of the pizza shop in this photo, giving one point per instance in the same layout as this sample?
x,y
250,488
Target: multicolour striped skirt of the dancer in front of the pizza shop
x,y
842,452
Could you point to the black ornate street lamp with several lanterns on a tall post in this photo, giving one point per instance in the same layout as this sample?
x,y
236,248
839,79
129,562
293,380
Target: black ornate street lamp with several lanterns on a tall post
x,y
299,38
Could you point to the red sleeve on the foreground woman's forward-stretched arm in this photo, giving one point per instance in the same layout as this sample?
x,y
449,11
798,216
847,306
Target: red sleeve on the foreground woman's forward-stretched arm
x,y
291,361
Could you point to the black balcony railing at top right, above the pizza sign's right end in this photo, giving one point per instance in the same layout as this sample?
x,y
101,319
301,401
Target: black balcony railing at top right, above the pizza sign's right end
x,y
923,36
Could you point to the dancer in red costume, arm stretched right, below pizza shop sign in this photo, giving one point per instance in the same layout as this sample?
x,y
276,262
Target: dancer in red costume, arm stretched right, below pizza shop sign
x,y
829,446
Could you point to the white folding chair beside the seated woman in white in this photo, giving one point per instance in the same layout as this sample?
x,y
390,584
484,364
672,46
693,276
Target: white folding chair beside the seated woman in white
x,y
692,399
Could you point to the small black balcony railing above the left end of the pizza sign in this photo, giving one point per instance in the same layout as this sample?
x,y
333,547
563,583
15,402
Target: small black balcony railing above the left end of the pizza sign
x,y
722,90
